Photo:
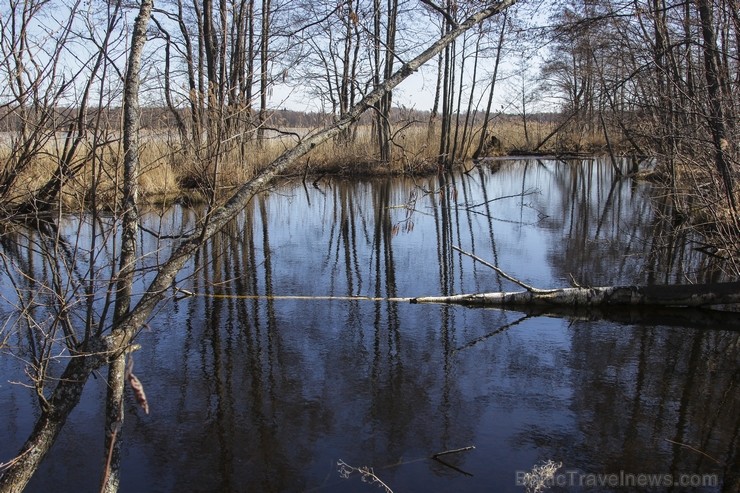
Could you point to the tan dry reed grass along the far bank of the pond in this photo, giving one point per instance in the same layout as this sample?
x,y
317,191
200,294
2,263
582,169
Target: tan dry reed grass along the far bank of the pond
x,y
168,172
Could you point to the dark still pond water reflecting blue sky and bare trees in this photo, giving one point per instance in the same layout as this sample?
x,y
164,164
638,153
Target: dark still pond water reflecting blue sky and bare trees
x,y
262,393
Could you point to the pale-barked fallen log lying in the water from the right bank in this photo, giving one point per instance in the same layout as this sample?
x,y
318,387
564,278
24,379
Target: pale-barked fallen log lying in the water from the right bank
x,y
689,295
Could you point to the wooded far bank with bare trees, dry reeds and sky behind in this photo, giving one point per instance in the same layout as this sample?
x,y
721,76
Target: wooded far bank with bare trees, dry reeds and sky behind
x,y
656,78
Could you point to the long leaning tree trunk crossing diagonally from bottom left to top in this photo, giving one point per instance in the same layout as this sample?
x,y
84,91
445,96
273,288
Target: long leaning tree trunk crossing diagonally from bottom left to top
x,y
96,352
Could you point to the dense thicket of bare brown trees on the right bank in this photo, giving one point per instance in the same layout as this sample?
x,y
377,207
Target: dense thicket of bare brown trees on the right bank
x,y
657,75
